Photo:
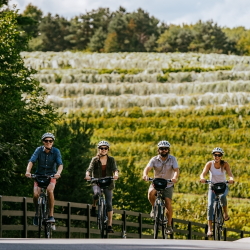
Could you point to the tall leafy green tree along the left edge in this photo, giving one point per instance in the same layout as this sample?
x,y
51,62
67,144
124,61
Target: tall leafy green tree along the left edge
x,y
24,114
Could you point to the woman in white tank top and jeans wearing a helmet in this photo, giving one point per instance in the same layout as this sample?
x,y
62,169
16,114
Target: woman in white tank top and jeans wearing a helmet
x,y
217,169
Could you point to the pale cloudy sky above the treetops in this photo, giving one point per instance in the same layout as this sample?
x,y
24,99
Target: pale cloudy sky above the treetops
x,y
226,13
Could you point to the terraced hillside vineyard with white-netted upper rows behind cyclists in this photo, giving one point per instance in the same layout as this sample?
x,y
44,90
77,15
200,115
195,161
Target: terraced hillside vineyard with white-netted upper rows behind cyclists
x,y
133,100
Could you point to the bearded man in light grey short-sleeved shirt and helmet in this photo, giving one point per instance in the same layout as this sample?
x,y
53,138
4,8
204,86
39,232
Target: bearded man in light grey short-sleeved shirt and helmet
x,y
165,166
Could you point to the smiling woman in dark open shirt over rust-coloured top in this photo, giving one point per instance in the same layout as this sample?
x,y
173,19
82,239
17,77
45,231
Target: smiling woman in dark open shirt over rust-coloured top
x,y
103,165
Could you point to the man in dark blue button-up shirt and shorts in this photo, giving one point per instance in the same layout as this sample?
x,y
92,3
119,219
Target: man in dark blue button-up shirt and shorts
x,y
49,162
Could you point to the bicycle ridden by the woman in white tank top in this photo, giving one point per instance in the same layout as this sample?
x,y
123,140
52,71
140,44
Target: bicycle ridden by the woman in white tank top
x,y
218,218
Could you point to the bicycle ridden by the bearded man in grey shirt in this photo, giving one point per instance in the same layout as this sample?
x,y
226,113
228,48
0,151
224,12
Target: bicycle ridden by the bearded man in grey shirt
x,y
160,218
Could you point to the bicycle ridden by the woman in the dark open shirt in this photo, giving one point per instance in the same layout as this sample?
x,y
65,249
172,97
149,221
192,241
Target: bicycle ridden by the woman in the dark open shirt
x,y
102,217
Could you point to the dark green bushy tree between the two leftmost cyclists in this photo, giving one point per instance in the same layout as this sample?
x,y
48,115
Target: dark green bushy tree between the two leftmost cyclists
x,y
73,140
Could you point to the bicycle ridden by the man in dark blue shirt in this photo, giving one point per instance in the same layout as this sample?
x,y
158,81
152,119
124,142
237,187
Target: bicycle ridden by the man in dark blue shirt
x,y
43,207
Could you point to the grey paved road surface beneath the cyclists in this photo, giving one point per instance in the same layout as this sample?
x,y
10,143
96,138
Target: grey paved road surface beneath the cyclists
x,y
120,244
